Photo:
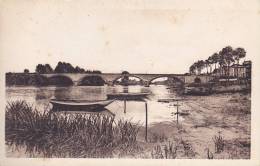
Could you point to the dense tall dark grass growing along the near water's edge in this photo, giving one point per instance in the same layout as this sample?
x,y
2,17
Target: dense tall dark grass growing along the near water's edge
x,y
52,135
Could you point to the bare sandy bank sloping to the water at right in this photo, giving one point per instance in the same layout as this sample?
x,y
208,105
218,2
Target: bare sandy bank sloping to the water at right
x,y
229,116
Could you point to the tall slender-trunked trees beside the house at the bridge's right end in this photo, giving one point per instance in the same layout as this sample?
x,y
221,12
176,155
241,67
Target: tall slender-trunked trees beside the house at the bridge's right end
x,y
223,59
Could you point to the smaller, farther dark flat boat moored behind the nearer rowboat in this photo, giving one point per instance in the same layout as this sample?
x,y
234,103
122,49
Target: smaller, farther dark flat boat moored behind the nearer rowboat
x,y
127,96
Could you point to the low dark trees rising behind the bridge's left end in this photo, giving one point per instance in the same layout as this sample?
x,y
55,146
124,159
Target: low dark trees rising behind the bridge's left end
x,y
61,67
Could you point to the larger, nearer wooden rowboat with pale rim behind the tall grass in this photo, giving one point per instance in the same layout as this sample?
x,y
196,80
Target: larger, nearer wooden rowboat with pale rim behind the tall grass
x,y
79,105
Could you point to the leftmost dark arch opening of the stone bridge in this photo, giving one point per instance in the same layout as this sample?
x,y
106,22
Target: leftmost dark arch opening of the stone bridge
x,y
60,80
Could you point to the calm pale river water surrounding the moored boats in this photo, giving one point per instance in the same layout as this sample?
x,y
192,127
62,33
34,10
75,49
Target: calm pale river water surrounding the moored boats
x,y
135,110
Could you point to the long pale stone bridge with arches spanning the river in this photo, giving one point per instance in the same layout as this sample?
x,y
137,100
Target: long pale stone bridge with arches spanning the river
x,y
111,78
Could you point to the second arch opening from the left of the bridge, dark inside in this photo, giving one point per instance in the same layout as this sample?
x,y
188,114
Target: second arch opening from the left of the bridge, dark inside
x,y
92,80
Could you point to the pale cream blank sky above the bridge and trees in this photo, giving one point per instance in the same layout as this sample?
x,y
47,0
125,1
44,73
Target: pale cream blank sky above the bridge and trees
x,y
112,36
